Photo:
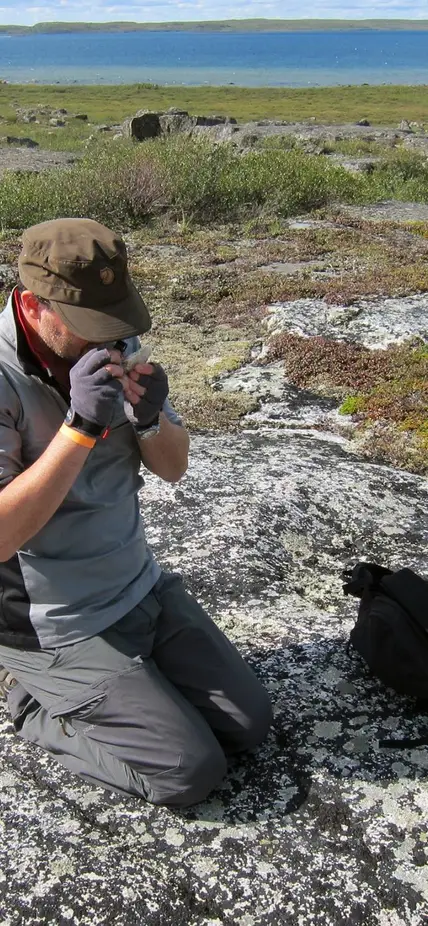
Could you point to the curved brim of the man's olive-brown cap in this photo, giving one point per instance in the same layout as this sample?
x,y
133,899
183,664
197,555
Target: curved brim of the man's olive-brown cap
x,y
120,320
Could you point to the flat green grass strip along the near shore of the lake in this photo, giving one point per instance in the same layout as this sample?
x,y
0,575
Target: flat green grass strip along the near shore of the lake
x,y
381,105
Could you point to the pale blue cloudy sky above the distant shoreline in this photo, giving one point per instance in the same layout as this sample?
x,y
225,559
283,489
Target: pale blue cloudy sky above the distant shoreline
x,y
167,10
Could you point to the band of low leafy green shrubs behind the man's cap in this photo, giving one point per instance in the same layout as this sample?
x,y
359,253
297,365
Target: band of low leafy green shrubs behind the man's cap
x,y
122,184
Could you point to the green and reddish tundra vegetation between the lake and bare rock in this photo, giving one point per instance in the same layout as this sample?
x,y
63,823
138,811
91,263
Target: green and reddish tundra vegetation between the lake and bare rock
x,y
208,224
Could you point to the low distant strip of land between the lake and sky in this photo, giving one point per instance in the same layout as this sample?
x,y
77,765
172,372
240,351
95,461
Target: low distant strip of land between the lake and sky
x,y
225,26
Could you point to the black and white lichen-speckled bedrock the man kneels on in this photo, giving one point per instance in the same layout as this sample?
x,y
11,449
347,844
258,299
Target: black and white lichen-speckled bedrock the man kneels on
x,y
322,826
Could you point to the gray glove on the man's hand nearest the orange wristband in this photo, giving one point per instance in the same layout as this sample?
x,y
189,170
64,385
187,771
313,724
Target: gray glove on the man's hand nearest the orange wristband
x,y
93,390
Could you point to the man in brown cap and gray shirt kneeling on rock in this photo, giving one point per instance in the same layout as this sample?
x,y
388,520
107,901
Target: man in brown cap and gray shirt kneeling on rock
x,y
108,664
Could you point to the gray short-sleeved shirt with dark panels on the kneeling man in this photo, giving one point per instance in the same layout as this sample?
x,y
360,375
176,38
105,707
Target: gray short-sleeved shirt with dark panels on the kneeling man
x,y
90,564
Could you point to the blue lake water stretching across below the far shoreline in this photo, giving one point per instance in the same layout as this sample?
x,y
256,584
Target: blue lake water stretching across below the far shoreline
x,y
293,59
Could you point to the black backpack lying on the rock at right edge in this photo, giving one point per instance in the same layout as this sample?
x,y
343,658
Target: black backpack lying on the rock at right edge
x,y
391,630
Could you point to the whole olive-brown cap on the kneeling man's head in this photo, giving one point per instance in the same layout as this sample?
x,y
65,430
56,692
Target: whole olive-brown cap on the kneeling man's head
x,y
81,267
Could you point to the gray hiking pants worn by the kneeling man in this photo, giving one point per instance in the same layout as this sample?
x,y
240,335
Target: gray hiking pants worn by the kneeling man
x,y
151,707
